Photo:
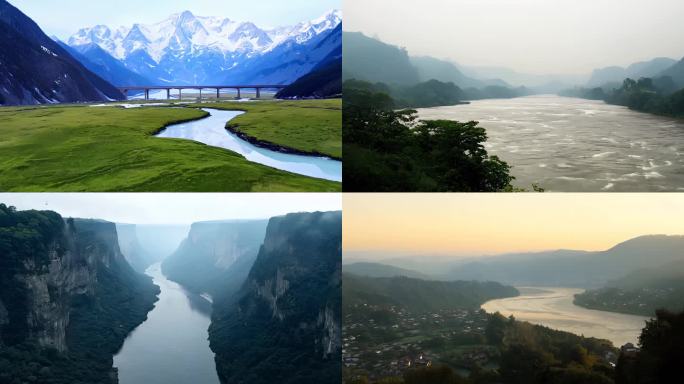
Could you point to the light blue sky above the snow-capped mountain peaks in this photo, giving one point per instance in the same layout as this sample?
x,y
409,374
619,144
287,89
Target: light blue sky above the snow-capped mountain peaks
x,y
65,17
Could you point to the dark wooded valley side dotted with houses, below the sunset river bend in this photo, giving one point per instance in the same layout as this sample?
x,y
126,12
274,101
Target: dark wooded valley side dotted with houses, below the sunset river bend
x,y
465,345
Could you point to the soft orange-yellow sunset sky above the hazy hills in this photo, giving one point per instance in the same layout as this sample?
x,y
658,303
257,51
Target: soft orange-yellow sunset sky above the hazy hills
x,y
482,224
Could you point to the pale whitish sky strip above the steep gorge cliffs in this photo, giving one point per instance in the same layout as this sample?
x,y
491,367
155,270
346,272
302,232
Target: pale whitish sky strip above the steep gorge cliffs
x,y
173,208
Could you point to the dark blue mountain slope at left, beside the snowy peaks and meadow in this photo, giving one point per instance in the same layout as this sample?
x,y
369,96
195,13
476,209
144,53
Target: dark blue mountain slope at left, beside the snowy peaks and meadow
x,y
35,70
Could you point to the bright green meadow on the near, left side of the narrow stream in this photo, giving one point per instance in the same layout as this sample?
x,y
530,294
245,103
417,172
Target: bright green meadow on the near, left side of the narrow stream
x,y
79,148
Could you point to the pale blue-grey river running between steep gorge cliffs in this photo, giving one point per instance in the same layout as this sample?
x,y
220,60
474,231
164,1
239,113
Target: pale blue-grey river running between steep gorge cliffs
x,y
171,346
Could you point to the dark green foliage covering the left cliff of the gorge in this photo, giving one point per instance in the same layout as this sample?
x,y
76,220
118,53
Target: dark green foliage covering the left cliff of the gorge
x,y
98,321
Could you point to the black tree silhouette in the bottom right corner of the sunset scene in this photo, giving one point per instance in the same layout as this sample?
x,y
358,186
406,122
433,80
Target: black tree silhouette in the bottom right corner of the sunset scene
x,y
661,355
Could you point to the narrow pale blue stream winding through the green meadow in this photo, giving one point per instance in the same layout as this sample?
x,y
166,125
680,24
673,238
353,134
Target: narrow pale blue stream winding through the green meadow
x,y
212,131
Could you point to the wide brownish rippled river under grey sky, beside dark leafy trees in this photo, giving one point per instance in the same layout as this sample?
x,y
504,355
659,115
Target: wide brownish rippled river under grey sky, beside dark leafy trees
x,y
577,145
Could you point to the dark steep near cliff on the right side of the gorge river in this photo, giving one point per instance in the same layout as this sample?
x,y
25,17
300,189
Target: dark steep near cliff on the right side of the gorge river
x,y
289,306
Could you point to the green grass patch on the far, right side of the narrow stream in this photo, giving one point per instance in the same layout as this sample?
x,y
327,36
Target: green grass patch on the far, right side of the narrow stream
x,y
309,126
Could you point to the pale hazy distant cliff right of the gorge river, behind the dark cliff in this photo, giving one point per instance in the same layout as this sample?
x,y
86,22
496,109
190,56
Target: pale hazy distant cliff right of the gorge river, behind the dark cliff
x,y
216,257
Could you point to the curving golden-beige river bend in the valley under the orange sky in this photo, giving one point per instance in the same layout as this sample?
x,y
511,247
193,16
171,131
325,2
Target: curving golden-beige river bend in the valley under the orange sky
x,y
553,307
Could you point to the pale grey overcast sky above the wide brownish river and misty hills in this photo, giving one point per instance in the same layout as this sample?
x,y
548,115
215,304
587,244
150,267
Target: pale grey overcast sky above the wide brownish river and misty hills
x,y
535,36
